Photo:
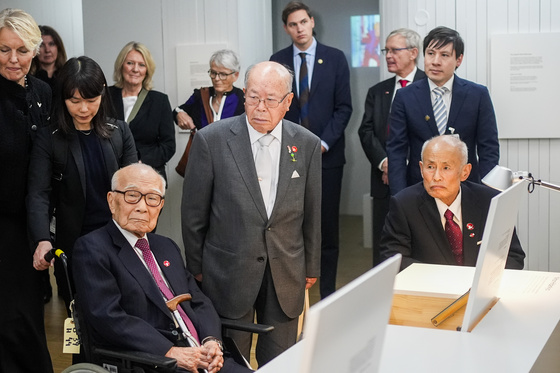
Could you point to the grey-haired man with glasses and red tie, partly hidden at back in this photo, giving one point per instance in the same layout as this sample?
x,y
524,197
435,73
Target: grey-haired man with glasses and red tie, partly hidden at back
x,y
401,55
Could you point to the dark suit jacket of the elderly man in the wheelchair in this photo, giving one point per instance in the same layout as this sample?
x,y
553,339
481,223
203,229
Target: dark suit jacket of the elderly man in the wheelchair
x,y
122,303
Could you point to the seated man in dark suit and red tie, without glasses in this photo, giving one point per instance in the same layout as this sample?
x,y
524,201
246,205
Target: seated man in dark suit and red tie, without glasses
x,y
441,220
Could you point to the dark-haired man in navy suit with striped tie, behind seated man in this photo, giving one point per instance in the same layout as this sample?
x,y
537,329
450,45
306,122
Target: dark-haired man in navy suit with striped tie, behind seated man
x,y
441,104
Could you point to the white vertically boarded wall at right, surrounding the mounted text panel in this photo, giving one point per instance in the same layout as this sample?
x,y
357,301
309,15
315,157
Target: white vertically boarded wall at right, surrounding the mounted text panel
x,y
477,20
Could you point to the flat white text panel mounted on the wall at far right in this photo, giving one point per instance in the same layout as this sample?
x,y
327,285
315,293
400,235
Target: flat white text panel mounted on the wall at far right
x,y
524,83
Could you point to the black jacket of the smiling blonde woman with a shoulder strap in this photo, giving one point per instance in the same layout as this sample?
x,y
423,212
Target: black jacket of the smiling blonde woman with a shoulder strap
x,y
152,128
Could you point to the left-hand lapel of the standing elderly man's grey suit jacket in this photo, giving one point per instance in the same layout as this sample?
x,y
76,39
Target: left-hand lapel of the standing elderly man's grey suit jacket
x,y
240,147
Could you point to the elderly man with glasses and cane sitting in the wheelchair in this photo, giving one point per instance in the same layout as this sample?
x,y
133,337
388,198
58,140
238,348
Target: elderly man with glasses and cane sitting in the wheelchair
x,y
124,275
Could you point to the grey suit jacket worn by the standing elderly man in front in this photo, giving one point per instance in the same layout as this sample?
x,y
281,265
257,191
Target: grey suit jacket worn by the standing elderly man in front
x,y
227,234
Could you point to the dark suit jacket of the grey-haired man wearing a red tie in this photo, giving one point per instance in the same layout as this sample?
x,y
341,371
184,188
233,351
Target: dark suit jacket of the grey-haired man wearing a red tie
x,y
373,130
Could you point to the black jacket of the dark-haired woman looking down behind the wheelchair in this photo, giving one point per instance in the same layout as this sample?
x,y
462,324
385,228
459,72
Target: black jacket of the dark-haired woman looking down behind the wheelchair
x,y
69,187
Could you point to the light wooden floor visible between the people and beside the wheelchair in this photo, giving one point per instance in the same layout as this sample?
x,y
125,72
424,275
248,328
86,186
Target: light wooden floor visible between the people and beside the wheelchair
x,y
354,260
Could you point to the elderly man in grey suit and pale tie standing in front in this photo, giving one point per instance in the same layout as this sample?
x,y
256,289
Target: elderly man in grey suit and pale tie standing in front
x,y
251,212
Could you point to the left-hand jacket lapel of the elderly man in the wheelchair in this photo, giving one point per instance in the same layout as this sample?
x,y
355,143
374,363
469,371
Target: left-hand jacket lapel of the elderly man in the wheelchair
x,y
137,269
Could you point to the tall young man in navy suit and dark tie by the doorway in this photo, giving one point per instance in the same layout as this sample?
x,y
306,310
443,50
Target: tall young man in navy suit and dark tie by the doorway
x,y
324,106
